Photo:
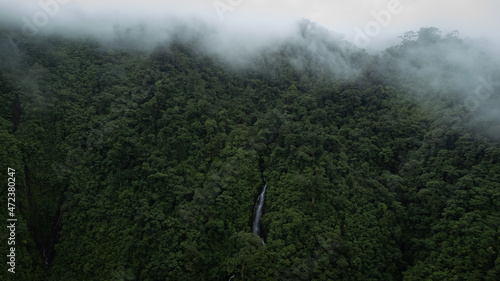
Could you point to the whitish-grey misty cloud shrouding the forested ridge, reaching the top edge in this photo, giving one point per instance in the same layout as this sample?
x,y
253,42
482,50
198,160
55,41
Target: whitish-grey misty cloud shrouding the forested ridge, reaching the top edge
x,y
452,67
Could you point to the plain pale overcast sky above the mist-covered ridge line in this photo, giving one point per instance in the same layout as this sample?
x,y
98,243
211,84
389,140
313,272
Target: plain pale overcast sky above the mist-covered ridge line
x,y
480,18
